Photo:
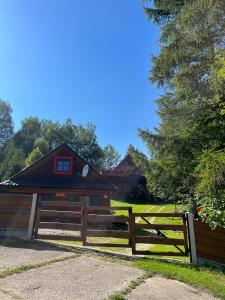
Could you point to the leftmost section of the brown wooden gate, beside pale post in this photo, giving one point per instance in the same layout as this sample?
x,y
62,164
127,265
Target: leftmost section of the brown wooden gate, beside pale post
x,y
62,216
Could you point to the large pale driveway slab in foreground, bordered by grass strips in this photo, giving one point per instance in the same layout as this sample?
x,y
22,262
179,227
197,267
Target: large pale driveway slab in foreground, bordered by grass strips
x,y
78,278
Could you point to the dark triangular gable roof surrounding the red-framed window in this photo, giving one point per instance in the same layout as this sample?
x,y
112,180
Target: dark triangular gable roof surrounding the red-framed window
x,y
40,175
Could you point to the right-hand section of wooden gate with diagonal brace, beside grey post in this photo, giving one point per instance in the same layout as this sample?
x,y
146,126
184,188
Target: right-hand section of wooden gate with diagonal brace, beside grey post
x,y
154,233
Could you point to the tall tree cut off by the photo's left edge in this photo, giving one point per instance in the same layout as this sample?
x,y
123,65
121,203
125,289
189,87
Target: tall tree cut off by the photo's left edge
x,y
6,123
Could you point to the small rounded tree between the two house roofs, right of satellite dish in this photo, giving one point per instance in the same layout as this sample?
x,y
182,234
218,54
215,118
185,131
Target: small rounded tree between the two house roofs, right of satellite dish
x,y
110,159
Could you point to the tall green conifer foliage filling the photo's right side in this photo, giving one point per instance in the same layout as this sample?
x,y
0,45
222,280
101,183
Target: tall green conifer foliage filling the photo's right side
x,y
190,69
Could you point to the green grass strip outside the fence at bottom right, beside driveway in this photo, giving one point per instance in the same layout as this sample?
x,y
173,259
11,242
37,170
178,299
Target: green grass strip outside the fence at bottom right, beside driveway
x,y
209,279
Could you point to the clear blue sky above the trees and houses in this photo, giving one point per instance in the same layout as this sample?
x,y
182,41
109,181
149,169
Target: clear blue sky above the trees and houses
x,y
88,60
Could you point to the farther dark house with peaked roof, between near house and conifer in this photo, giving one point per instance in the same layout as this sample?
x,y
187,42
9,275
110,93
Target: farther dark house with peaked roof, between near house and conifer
x,y
129,180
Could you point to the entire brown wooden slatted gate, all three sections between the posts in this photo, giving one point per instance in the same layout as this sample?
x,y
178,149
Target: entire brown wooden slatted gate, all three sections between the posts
x,y
90,224
